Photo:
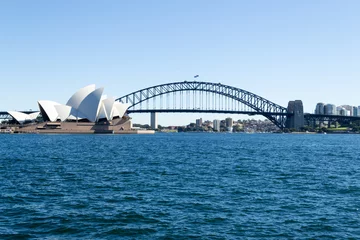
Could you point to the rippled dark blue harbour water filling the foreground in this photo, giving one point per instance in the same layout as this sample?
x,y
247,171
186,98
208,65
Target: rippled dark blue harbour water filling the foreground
x,y
180,186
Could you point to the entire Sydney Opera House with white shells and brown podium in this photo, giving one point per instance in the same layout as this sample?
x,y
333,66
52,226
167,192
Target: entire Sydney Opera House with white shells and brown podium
x,y
87,111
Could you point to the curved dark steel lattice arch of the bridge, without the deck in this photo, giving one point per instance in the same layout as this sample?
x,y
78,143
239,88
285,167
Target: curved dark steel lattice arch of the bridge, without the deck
x,y
272,111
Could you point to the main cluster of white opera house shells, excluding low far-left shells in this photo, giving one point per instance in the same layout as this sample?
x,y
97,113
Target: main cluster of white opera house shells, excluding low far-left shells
x,y
87,104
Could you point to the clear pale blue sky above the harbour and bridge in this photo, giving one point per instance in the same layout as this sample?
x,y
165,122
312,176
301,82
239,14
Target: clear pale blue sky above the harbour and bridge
x,y
281,50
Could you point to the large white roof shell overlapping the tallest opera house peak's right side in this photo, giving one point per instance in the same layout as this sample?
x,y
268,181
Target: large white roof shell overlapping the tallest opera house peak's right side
x,y
90,105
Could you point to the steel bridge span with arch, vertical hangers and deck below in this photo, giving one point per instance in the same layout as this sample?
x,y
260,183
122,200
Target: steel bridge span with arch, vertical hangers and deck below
x,y
207,97
